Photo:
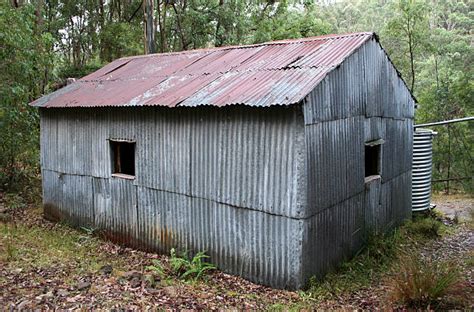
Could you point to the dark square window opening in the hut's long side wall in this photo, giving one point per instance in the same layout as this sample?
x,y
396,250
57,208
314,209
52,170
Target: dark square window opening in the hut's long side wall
x,y
123,157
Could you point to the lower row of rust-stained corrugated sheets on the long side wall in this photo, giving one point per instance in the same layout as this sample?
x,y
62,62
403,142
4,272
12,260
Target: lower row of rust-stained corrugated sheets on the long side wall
x,y
261,247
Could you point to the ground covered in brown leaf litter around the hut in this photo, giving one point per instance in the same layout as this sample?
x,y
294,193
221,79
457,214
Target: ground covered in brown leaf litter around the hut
x,y
46,265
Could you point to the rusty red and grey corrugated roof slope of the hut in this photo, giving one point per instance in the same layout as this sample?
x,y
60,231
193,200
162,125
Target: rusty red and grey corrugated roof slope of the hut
x,y
273,73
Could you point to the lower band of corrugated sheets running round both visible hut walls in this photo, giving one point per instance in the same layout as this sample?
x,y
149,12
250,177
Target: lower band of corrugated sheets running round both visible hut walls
x,y
268,249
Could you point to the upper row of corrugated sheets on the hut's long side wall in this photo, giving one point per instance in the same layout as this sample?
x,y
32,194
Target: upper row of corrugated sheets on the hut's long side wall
x,y
241,157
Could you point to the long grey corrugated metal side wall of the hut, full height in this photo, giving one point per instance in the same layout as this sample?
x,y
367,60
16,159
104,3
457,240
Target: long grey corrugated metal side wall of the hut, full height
x,y
229,181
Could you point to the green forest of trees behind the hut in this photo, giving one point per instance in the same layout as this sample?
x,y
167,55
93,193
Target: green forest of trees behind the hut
x,y
44,42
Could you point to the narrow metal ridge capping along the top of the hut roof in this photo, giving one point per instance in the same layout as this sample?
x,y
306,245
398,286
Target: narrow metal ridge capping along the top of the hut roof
x,y
245,46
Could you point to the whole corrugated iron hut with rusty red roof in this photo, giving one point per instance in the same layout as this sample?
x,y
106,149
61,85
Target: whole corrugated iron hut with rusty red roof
x,y
274,158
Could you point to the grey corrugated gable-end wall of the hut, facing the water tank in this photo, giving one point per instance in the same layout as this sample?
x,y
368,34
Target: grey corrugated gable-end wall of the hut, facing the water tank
x,y
360,101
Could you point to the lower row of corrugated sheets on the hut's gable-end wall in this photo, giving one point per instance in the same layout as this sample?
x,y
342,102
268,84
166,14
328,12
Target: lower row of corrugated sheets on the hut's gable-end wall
x,y
338,233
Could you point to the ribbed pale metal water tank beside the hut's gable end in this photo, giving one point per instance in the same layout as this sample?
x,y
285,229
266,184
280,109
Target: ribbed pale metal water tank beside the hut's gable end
x,y
422,168
